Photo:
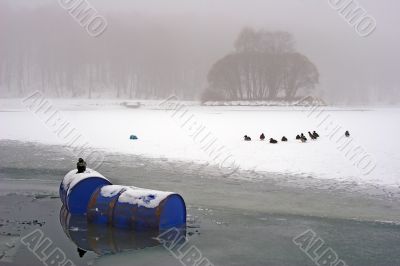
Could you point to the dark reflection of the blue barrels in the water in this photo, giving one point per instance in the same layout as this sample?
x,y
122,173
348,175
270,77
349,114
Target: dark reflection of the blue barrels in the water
x,y
105,239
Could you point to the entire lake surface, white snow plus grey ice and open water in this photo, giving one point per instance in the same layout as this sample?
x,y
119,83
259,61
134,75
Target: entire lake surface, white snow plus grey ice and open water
x,y
247,218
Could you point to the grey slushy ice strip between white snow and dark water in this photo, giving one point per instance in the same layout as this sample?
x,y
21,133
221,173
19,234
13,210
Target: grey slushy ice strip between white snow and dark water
x,y
35,169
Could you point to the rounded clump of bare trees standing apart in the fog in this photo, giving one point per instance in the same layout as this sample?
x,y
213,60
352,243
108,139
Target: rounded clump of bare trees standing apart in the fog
x,y
264,66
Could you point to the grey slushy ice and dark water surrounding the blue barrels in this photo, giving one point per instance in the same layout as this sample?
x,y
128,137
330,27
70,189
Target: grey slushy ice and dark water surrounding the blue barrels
x,y
232,222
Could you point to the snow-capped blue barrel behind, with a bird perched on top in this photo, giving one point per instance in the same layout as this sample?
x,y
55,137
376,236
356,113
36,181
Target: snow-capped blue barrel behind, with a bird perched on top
x,y
77,188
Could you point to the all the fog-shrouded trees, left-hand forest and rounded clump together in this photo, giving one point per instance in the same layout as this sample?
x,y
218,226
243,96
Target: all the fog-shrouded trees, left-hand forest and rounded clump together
x,y
146,61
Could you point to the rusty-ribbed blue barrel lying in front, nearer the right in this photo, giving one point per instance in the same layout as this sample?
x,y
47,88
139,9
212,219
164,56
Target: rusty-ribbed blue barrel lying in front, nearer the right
x,y
136,208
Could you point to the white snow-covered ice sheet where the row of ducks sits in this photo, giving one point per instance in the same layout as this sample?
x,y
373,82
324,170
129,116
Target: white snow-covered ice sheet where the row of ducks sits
x,y
107,125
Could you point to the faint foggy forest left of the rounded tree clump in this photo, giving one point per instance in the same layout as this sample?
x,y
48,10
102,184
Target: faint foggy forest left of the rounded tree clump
x,y
43,48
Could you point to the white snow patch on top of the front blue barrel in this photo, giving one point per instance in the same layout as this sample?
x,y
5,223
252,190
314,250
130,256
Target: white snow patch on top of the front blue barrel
x,y
143,197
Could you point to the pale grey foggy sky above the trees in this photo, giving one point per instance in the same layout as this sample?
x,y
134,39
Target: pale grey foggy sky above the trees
x,y
349,65
